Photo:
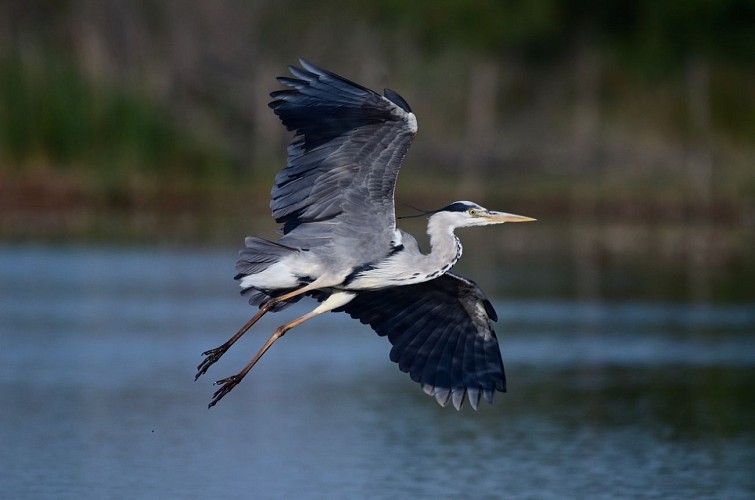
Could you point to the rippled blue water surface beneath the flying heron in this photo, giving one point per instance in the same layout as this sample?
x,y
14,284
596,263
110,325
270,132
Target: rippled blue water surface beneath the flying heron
x,y
606,400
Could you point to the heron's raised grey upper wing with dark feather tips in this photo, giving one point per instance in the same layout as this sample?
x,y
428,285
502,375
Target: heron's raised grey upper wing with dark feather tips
x,y
344,158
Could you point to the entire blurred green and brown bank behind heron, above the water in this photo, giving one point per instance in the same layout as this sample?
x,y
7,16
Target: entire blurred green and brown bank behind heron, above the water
x,y
570,107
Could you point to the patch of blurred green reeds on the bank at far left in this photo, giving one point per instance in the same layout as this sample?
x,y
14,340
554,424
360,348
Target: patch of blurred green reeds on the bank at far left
x,y
53,115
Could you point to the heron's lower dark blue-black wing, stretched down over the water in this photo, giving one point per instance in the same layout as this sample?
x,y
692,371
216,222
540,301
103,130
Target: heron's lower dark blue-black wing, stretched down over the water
x,y
441,334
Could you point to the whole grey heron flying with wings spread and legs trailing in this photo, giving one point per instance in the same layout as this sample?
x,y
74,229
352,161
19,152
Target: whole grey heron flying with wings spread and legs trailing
x,y
341,246
